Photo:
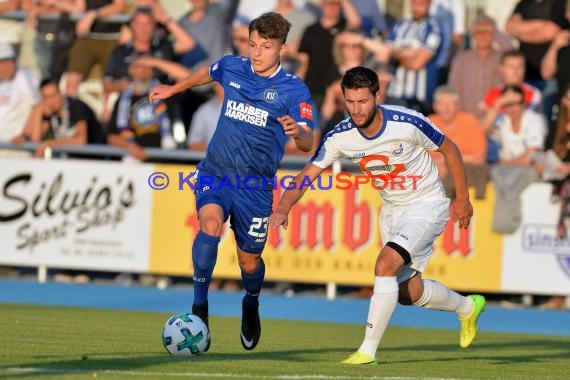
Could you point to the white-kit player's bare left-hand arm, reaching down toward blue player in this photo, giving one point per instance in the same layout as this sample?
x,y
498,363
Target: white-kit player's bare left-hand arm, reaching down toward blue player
x,y
292,195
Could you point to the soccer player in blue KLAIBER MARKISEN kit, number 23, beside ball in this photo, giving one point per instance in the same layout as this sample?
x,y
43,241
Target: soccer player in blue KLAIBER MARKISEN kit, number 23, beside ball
x,y
263,108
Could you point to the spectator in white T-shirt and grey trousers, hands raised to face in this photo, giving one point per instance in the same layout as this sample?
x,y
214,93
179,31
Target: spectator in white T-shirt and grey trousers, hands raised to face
x,y
518,133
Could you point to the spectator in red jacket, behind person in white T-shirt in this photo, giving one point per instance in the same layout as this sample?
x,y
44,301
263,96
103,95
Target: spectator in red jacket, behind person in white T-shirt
x,y
511,71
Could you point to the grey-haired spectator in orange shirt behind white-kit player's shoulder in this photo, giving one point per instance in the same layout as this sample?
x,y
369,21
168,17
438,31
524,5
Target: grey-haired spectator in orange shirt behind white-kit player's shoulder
x,y
465,130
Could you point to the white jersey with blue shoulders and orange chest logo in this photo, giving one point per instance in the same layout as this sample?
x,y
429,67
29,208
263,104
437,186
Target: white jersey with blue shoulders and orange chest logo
x,y
396,159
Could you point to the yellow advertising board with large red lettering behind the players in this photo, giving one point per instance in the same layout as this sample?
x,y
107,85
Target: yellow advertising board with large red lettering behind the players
x,y
333,236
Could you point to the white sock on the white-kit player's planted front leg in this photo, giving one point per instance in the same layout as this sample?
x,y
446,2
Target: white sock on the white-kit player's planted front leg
x,y
382,306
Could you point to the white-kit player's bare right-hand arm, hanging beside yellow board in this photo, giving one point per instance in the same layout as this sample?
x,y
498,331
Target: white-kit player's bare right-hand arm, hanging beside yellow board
x,y
461,209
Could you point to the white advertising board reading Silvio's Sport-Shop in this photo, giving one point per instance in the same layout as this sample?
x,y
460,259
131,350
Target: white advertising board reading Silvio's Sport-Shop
x,y
75,214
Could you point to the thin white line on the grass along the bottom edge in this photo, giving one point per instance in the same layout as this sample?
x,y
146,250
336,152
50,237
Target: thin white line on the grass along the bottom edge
x,y
52,371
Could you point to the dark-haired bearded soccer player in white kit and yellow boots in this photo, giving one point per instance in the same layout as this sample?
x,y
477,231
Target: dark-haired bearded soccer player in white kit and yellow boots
x,y
390,144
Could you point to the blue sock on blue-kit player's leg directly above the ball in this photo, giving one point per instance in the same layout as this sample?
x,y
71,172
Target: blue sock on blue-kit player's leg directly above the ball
x,y
204,255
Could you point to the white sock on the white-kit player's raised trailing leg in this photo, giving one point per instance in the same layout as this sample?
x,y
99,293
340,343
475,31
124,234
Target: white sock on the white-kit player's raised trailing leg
x,y
439,297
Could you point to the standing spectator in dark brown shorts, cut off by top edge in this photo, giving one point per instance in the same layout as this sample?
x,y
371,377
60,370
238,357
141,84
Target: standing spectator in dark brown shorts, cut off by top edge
x,y
96,40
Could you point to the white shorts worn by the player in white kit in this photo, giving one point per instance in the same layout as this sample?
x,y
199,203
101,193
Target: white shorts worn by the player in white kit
x,y
415,228
